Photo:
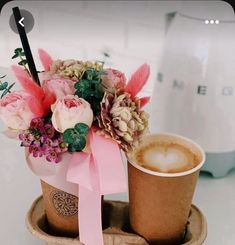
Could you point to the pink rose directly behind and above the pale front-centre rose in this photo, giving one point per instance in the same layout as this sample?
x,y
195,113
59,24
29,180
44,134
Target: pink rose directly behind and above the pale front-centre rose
x,y
60,86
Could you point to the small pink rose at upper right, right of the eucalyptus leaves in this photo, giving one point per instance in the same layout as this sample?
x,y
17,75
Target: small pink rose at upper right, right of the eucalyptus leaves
x,y
113,80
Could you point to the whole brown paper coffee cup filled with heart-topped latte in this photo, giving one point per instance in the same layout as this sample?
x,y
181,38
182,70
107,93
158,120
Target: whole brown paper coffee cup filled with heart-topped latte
x,y
161,197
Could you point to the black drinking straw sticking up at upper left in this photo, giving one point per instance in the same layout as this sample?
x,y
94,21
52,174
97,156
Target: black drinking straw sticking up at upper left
x,y
25,44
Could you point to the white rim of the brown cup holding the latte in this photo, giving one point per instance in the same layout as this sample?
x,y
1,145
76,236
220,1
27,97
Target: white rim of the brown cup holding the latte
x,y
171,175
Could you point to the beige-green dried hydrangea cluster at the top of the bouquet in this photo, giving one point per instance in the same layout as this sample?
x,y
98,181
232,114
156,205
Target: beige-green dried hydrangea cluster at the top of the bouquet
x,y
73,69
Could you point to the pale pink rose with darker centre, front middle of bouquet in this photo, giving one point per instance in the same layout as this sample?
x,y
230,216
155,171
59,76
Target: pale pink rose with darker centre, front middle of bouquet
x,y
69,111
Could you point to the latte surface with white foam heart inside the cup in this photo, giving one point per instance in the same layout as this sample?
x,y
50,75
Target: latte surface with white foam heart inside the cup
x,y
165,156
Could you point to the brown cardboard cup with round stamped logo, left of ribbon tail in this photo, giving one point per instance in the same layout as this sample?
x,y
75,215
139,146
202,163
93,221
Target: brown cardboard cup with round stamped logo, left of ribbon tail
x,y
61,209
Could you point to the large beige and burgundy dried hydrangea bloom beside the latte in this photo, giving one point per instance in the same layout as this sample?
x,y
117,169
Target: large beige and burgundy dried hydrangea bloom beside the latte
x,y
122,119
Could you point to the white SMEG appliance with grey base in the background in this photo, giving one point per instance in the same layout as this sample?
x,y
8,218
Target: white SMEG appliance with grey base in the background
x,y
195,90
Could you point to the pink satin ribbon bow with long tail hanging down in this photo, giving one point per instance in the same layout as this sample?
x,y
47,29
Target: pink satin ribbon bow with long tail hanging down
x,y
99,173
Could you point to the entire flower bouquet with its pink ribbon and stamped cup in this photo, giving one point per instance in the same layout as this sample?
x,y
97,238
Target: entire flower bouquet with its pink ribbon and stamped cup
x,y
73,123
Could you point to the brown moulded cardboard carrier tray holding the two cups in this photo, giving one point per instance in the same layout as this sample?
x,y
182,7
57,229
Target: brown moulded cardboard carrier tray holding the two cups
x,y
115,216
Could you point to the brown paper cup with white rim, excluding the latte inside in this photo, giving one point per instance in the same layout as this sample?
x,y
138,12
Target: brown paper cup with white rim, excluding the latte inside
x,y
160,202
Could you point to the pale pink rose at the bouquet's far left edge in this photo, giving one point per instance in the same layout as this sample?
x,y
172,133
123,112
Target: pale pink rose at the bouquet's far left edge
x,y
15,111
